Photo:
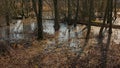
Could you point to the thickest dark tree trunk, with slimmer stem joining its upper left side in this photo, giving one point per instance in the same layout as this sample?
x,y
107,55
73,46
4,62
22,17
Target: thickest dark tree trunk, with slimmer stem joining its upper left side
x,y
39,17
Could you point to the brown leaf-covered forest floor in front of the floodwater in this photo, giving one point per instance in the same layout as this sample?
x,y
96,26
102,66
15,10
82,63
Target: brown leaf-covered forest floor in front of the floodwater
x,y
46,54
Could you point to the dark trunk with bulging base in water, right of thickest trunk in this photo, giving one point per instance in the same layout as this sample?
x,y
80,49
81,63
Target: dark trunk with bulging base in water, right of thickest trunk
x,y
56,25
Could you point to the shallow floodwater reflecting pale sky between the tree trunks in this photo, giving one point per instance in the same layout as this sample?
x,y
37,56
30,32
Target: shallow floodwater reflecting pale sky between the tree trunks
x,y
18,31
